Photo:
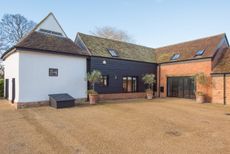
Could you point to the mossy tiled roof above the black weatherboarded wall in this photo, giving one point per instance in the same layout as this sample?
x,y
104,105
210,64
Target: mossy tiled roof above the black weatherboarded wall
x,y
99,47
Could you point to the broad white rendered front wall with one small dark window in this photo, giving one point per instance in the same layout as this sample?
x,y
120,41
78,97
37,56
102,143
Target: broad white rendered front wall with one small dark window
x,y
36,84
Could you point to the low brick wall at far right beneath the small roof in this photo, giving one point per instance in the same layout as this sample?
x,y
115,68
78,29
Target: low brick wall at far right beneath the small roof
x,y
218,89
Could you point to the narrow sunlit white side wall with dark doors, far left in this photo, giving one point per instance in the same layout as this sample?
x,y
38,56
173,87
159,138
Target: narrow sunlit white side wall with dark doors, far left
x,y
12,71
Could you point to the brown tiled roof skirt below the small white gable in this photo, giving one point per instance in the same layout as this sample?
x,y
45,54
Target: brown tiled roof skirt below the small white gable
x,y
43,41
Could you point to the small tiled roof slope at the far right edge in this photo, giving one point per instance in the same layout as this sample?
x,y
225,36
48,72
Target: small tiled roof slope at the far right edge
x,y
224,64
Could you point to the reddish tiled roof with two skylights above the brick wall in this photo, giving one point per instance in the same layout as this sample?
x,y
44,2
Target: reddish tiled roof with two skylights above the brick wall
x,y
187,50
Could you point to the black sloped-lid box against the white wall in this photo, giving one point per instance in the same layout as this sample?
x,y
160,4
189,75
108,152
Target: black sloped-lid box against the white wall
x,y
61,100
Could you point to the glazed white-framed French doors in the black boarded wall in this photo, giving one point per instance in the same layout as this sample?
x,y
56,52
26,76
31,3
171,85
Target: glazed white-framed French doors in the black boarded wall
x,y
130,84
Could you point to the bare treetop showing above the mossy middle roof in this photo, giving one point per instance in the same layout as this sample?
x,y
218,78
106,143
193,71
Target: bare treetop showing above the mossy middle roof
x,y
112,33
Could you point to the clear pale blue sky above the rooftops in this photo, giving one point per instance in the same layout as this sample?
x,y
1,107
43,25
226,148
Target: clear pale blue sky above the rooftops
x,y
151,23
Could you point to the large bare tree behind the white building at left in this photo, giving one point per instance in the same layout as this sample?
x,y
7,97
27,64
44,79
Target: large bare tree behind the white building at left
x,y
12,28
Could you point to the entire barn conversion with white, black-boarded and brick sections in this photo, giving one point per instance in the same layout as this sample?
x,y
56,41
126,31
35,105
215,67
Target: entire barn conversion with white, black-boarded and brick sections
x,y
47,62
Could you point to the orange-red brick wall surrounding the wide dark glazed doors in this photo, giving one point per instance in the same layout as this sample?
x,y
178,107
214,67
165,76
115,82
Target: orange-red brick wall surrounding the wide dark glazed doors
x,y
189,68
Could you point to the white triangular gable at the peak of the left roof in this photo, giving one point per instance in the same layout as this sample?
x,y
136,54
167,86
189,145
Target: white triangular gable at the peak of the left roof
x,y
51,24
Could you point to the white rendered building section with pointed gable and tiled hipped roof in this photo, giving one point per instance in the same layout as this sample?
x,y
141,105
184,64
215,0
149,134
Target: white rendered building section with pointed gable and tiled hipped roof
x,y
45,62
